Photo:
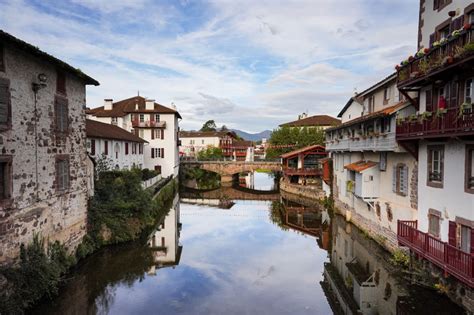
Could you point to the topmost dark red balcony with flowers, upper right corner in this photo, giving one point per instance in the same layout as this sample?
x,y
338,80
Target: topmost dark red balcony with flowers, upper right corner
x,y
437,59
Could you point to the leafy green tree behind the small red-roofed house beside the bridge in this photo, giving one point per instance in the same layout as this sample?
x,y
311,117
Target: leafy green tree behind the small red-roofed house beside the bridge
x,y
286,139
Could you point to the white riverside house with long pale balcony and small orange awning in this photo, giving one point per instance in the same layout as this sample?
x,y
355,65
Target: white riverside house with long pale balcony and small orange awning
x,y
374,178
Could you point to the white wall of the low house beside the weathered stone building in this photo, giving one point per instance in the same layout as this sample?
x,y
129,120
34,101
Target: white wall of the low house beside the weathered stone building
x,y
123,161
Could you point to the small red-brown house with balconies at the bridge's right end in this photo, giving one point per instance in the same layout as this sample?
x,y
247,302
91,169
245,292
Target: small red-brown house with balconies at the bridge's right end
x,y
303,166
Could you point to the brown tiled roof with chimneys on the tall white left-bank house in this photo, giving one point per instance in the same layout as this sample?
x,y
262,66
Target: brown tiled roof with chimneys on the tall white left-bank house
x,y
124,107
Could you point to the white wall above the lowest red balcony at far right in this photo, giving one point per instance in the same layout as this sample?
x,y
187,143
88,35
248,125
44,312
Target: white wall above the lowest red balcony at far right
x,y
451,200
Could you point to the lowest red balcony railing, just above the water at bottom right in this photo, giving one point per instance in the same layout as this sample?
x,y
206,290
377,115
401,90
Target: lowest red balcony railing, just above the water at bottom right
x,y
449,258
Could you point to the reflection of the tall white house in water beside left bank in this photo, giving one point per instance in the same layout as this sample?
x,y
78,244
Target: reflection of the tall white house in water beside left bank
x,y
165,241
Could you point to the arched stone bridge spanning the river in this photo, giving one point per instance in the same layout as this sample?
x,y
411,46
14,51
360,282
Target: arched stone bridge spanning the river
x,y
227,169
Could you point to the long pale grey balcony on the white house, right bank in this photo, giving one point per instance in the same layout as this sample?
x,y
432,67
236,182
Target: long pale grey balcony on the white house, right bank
x,y
374,142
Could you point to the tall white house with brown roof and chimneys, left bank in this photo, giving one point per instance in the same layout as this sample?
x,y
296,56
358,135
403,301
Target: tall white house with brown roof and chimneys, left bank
x,y
155,123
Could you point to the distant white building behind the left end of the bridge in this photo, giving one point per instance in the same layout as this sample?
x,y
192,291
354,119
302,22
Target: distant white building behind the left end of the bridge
x,y
194,141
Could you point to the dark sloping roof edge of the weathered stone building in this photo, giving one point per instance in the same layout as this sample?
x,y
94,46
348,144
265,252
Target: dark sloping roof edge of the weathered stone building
x,y
35,51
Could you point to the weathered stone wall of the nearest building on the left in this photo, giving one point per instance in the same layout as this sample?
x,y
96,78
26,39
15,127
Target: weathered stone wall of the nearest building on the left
x,y
38,207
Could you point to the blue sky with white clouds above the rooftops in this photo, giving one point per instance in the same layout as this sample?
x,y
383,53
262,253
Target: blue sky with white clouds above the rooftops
x,y
249,65
